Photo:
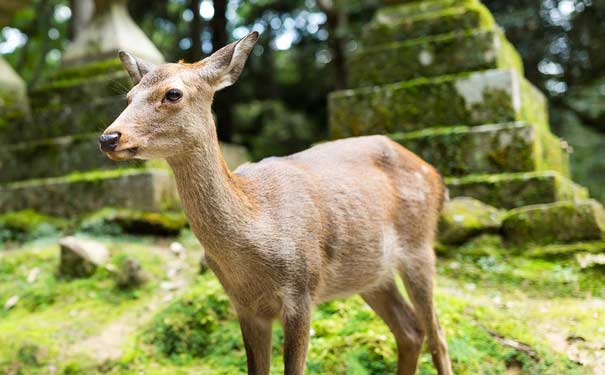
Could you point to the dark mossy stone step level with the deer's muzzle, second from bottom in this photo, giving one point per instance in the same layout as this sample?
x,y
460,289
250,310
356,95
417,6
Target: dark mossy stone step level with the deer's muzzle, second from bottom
x,y
63,155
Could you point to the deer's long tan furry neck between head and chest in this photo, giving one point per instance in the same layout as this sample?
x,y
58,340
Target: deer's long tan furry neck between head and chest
x,y
216,205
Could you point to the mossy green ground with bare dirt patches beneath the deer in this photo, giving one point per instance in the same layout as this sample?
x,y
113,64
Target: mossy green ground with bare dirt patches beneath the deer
x,y
503,314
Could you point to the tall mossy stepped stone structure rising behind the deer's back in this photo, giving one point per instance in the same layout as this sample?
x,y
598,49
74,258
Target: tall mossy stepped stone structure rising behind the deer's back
x,y
440,78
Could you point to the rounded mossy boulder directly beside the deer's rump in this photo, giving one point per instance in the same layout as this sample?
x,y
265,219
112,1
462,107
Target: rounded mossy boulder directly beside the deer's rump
x,y
463,218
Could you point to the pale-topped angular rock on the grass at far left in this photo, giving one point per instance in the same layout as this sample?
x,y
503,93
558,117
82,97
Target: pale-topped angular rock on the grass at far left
x,y
81,257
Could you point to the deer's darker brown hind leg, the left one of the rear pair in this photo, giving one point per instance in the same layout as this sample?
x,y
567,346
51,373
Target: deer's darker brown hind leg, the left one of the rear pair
x,y
389,304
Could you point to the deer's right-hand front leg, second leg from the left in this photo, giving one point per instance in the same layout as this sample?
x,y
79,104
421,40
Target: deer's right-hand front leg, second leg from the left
x,y
296,323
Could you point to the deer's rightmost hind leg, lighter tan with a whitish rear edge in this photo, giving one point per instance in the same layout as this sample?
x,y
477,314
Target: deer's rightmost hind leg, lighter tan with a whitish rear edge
x,y
418,272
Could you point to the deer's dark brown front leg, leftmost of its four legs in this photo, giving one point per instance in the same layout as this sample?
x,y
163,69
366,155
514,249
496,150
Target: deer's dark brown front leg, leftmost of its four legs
x,y
257,340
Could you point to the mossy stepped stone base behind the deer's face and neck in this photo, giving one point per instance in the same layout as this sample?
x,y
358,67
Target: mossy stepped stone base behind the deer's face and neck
x,y
51,162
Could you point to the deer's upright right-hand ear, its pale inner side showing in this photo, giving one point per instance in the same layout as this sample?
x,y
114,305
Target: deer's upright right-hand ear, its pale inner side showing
x,y
224,66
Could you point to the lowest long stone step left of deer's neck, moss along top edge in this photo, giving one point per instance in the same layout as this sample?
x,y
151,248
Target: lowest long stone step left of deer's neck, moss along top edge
x,y
140,189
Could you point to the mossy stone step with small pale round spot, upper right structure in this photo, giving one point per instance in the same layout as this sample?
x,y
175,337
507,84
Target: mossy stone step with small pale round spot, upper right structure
x,y
473,50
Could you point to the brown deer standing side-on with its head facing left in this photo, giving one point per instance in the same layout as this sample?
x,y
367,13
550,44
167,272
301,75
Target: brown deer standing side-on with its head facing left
x,y
285,234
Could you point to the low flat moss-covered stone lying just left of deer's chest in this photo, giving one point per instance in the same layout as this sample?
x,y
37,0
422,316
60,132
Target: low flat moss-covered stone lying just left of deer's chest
x,y
135,222
